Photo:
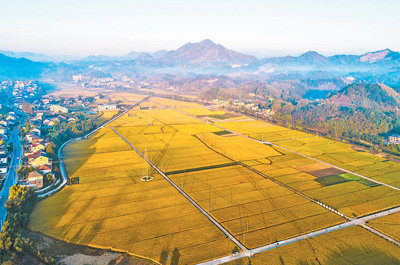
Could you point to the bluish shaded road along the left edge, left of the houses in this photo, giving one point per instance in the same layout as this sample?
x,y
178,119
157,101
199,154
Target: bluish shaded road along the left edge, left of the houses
x,y
11,178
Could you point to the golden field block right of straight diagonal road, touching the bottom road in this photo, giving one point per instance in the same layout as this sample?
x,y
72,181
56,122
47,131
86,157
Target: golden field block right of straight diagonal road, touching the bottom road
x,y
254,209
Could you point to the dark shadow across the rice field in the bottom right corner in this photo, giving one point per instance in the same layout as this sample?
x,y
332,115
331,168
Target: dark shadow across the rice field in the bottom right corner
x,y
352,255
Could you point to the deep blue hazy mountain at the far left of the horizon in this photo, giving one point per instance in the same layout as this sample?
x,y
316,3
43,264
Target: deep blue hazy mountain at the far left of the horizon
x,y
11,68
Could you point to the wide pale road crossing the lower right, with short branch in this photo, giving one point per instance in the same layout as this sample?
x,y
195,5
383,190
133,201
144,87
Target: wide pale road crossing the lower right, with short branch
x,y
359,221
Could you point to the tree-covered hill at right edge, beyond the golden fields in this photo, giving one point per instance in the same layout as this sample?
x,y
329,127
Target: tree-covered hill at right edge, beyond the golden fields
x,y
359,112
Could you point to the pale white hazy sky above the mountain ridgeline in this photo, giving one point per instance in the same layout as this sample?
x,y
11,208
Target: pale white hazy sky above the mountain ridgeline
x,y
266,27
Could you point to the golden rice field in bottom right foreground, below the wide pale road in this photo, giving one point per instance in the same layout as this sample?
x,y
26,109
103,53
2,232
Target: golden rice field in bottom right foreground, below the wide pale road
x,y
352,245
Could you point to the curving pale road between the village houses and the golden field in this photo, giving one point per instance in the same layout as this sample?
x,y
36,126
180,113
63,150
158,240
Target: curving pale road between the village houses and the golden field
x,y
63,171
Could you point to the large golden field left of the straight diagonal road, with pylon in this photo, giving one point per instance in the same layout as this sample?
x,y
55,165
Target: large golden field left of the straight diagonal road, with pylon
x,y
113,208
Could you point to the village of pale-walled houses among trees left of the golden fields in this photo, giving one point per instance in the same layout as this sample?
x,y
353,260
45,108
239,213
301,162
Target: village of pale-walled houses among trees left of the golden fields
x,y
35,116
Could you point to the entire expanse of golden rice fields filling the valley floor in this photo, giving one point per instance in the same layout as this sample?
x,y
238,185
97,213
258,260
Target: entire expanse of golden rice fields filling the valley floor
x,y
243,184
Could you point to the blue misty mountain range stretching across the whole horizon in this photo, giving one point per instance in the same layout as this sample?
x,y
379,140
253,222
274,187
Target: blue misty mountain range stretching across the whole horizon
x,y
207,57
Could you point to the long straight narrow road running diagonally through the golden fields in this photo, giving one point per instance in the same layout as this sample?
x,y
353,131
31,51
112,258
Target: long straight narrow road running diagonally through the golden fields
x,y
209,217
